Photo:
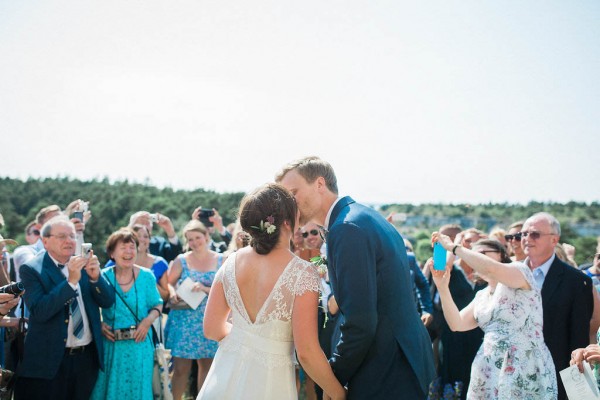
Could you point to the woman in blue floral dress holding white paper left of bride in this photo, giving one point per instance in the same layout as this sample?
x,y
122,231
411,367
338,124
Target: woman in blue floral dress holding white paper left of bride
x,y
184,325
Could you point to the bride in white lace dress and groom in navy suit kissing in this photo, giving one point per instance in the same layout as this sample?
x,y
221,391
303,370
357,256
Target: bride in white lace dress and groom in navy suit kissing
x,y
384,350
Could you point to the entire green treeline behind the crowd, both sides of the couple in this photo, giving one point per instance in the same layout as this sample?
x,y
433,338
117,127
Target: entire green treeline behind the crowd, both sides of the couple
x,y
112,204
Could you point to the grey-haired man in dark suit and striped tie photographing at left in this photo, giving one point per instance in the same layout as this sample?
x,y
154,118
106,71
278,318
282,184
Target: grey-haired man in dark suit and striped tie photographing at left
x,y
63,345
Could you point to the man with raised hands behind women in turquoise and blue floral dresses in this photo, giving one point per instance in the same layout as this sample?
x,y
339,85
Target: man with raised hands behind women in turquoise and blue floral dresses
x,y
166,248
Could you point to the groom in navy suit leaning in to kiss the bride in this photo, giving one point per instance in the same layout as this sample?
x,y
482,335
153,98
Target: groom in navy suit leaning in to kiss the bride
x,y
384,350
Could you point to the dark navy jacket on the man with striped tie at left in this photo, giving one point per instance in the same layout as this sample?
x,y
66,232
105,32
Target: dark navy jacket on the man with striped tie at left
x,y
47,295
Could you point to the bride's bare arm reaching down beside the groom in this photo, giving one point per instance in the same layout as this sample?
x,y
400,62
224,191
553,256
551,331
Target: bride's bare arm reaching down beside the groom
x,y
310,354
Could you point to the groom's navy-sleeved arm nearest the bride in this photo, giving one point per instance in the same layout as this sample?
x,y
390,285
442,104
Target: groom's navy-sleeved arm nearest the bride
x,y
356,293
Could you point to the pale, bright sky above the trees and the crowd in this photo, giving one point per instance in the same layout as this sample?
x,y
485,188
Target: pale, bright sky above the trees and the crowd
x,y
448,101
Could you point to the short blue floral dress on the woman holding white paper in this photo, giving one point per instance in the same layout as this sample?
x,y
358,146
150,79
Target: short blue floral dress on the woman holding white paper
x,y
183,332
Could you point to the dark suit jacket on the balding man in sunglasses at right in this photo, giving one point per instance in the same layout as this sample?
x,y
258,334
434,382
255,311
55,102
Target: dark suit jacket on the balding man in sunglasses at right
x,y
568,303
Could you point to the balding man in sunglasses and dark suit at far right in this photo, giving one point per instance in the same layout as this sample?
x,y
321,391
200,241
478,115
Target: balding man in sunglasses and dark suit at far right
x,y
567,297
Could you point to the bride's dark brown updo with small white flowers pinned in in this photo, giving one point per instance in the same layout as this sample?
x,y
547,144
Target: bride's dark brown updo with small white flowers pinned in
x,y
263,212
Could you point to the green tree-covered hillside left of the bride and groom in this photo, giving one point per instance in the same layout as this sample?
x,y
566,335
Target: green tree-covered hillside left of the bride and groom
x,y
111,204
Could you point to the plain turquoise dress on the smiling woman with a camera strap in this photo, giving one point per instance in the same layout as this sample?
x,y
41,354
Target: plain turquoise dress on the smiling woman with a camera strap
x,y
128,365
